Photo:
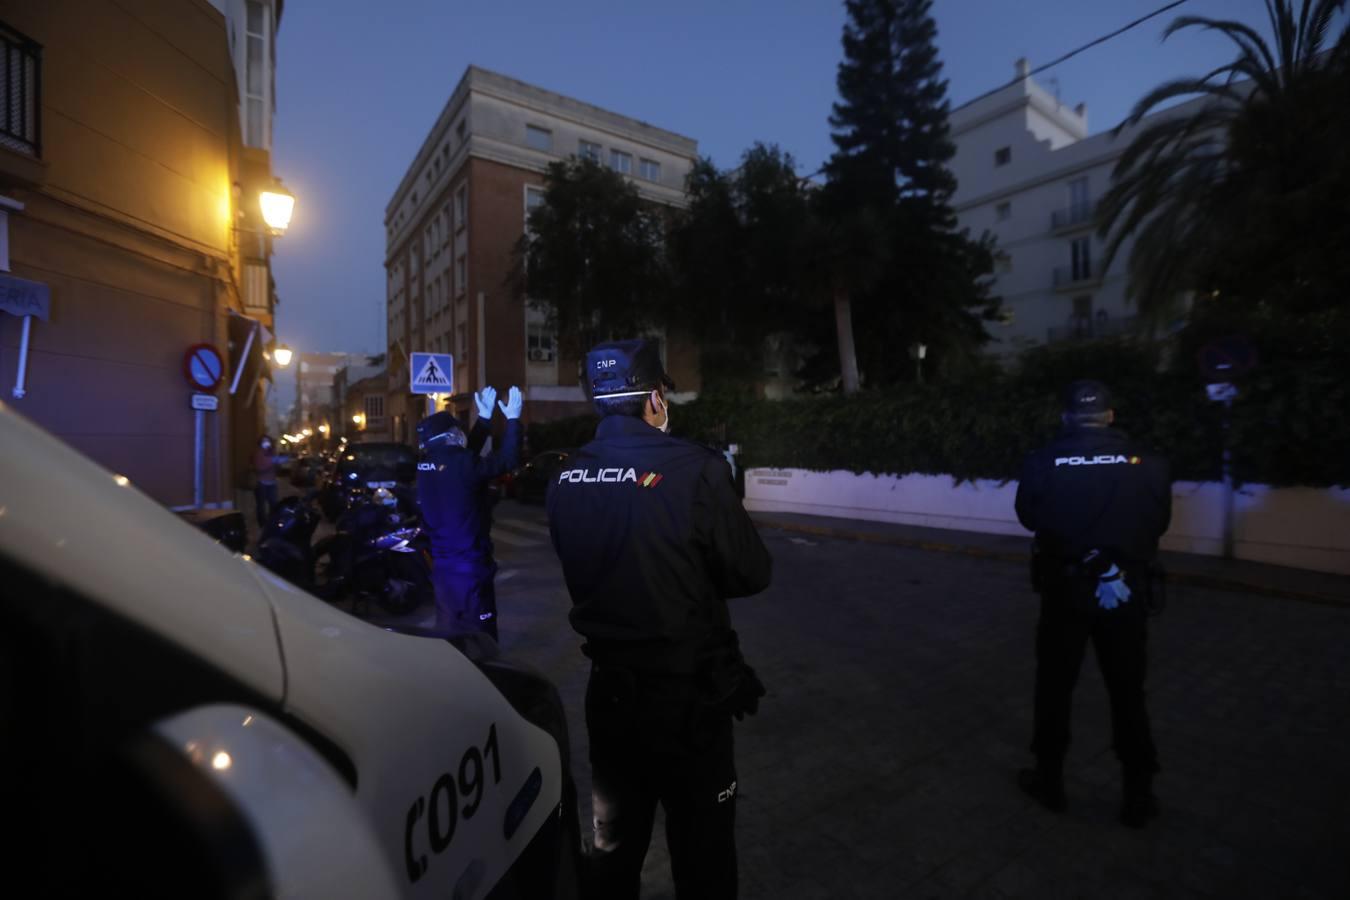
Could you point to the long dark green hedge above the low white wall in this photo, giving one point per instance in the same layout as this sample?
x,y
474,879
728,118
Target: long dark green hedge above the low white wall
x,y
1289,426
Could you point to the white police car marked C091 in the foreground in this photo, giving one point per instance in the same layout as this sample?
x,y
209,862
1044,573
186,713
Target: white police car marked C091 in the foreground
x,y
176,721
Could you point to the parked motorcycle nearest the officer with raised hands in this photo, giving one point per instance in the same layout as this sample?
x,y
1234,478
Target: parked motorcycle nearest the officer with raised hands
x,y
379,554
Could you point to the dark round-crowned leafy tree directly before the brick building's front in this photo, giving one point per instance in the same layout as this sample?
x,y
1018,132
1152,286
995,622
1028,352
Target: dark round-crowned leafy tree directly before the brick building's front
x,y
592,256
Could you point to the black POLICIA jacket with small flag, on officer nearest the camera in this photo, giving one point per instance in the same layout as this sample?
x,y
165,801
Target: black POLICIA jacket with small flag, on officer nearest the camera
x,y
653,540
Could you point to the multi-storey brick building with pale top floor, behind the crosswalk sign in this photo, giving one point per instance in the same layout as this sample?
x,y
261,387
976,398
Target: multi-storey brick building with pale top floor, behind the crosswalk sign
x,y
454,222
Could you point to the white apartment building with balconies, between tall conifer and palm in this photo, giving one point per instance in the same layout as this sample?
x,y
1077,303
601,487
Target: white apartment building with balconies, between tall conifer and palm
x,y
1029,172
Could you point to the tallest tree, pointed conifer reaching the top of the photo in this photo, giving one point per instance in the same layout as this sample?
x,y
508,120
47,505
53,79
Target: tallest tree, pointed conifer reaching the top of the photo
x,y
898,258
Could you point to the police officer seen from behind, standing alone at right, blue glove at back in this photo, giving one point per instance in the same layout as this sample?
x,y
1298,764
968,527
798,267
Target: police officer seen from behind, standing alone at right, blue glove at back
x,y
1098,505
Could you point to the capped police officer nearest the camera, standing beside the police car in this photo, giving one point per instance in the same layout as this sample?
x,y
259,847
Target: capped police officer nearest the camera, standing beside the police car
x,y
654,540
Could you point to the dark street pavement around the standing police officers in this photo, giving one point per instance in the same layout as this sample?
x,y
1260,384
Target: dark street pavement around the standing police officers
x,y
884,762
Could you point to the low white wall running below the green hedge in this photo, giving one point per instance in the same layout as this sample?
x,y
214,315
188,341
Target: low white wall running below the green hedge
x,y
1298,527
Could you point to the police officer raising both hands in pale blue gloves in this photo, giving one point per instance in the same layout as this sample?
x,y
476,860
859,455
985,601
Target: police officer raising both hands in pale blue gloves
x,y
457,511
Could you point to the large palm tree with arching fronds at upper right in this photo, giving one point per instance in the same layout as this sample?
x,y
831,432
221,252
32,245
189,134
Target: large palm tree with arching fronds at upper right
x,y
1243,195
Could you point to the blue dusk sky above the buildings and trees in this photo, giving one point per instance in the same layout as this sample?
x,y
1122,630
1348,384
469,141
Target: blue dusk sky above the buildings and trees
x,y
360,86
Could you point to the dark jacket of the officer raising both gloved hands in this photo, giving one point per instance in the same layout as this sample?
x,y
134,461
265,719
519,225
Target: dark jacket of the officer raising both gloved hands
x,y
453,495
